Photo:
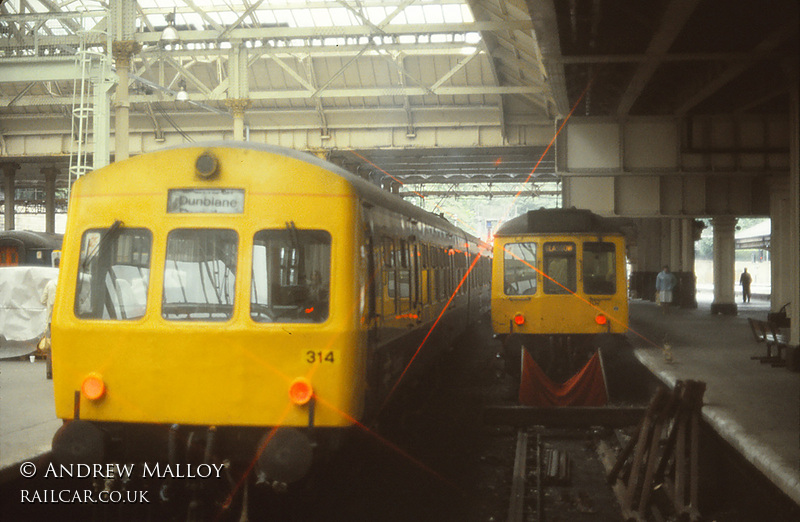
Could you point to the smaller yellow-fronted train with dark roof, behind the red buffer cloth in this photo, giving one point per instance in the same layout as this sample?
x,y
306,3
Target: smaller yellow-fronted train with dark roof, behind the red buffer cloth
x,y
559,287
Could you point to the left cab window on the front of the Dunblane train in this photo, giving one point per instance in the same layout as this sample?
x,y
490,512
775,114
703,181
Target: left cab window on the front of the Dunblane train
x,y
114,273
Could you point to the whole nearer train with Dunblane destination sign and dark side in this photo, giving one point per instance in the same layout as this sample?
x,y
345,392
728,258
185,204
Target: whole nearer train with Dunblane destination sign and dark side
x,y
241,304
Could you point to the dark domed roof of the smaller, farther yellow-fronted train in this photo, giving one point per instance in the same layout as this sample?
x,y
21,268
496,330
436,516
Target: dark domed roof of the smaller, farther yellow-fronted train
x,y
558,220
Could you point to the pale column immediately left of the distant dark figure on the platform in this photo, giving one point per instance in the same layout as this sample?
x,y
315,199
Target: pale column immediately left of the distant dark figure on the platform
x,y
724,270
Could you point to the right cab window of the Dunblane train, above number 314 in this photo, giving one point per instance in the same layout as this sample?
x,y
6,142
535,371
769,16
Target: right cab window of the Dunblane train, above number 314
x,y
291,276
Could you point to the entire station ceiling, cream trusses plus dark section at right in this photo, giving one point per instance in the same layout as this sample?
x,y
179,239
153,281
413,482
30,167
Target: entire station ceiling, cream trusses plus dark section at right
x,y
386,88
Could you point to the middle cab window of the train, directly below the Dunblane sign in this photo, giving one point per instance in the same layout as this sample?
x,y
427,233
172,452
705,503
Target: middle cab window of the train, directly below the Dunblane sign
x,y
199,275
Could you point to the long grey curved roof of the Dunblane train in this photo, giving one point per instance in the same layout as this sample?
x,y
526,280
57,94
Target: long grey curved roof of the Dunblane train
x,y
368,191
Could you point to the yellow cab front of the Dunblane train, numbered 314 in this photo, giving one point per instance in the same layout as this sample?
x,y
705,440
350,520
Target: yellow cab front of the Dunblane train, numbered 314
x,y
164,294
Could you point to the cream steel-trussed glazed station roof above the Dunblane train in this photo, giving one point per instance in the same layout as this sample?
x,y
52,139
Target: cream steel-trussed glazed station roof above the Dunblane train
x,y
317,64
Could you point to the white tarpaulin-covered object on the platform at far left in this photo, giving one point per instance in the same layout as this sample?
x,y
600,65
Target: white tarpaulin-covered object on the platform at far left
x,y
23,316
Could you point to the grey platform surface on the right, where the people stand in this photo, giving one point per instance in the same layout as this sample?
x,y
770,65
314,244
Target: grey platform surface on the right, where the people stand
x,y
753,406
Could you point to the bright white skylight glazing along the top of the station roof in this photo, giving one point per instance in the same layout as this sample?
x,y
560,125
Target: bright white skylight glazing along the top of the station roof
x,y
220,15
